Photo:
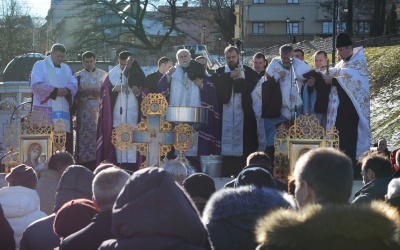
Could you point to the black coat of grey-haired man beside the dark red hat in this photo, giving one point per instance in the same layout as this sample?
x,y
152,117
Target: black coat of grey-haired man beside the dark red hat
x,y
92,235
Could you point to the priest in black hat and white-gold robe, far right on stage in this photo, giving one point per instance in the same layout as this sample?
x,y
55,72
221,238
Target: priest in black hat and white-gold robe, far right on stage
x,y
349,100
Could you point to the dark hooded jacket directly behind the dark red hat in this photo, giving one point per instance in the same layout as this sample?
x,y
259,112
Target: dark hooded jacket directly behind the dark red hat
x,y
75,183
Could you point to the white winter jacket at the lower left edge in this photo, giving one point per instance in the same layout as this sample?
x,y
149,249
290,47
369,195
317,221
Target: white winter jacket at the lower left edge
x,y
21,208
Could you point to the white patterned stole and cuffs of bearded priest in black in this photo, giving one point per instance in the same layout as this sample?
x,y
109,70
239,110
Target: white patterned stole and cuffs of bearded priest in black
x,y
233,122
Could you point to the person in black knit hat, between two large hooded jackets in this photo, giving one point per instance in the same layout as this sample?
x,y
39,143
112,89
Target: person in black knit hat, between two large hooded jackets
x,y
199,187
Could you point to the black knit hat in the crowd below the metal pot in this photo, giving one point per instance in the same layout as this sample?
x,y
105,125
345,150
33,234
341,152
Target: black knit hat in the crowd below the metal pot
x,y
199,185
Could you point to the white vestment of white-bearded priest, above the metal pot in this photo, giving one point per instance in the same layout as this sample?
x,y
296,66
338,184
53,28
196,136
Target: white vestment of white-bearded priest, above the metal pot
x,y
184,92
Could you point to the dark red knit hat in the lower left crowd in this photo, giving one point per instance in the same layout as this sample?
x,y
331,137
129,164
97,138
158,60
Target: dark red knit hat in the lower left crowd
x,y
73,216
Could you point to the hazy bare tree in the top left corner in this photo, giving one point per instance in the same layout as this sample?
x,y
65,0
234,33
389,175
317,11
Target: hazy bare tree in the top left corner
x,y
16,30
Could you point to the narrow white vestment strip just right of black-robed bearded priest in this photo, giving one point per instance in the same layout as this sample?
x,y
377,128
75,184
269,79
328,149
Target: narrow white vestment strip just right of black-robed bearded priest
x,y
256,96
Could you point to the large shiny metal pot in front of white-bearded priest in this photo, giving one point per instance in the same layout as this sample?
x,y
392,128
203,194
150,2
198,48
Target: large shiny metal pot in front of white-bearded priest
x,y
197,117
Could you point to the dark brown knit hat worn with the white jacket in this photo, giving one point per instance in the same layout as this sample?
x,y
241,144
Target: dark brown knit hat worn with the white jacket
x,y
22,175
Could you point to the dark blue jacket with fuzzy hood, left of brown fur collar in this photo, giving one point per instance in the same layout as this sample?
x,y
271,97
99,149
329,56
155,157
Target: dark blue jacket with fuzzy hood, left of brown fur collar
x,y
231,214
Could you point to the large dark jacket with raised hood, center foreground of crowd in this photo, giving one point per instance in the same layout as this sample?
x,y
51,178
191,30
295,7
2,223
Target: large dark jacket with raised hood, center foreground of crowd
x,y
153,212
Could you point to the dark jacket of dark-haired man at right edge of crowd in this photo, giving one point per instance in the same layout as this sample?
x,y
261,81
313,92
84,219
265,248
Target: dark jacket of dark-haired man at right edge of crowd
x,y
373,190
